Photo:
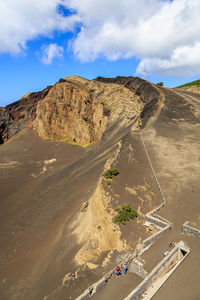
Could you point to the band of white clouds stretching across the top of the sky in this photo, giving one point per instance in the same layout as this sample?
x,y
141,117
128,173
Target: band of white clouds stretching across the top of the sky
x,y
163,34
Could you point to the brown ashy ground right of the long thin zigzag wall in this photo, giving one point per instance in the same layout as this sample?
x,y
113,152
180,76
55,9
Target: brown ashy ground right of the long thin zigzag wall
x,y
173,144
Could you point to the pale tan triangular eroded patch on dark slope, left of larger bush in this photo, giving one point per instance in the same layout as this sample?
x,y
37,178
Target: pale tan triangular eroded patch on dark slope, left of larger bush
x,y
95,229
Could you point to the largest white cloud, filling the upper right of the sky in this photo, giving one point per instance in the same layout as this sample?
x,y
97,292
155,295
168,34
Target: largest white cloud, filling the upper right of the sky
x,y
163,34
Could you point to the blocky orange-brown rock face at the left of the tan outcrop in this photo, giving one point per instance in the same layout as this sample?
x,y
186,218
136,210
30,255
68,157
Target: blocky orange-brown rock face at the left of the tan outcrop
x,y
69,111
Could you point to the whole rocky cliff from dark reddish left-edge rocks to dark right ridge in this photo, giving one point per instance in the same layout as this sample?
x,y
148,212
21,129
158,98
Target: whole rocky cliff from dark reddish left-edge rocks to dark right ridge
x,y
80,110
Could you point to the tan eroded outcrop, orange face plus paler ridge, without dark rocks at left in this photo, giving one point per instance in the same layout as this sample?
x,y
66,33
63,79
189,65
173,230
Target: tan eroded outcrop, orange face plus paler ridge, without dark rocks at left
x,y
81,110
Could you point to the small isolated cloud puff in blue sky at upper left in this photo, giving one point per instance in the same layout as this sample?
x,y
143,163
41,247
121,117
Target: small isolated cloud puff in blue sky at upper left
x,y
51,51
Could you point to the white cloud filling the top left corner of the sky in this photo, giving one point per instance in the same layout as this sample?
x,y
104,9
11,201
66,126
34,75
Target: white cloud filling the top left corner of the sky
x,y
23,20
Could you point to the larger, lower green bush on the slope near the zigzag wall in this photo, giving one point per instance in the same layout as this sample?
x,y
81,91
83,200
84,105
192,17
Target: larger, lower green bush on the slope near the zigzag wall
x,y
125,213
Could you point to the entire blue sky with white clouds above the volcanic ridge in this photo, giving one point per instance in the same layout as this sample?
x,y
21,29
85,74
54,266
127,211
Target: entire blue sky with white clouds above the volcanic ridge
x,y
42,41
